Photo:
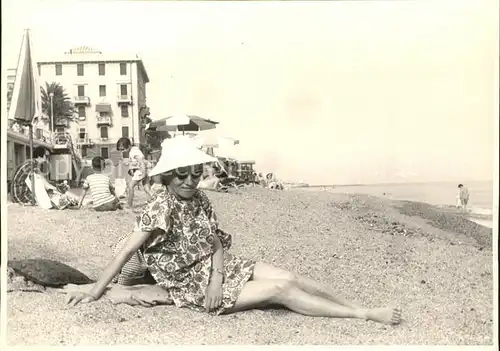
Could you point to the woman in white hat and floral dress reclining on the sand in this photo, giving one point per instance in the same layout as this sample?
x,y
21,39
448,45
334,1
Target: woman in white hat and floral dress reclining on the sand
x,y
178,239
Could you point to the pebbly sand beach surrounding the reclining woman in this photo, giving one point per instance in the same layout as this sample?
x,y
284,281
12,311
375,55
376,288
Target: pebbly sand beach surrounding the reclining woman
x,y
433,263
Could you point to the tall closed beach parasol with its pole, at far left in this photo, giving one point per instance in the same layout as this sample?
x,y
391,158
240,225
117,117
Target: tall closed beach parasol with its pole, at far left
x,y
26,104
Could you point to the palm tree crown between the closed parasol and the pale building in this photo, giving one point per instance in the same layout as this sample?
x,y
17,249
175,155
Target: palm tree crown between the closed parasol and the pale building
x,y
63,105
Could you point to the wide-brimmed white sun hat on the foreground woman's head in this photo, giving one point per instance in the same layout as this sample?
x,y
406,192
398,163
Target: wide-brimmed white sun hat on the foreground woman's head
x,y
179,152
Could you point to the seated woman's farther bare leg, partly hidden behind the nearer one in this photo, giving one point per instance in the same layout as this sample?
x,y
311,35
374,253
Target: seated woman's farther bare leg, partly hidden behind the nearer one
x,y
264,271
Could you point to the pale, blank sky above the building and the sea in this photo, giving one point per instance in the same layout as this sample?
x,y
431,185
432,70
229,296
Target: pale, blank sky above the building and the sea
x,y
325,93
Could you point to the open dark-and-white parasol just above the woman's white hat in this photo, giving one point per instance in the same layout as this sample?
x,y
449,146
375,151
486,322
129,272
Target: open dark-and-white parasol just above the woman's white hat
x,y
182,123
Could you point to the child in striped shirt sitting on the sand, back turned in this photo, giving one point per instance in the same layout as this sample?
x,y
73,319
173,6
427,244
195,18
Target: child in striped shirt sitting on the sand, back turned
x,y
103,198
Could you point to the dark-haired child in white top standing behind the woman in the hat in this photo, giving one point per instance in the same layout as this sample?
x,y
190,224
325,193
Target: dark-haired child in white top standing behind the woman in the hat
x,y
137,168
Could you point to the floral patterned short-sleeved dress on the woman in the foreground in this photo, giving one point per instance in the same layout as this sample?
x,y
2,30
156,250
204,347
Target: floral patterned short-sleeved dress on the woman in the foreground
x,y
178,253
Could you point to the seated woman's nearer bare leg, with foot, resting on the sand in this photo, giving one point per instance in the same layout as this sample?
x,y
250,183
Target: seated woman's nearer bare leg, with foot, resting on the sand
x,y
258,293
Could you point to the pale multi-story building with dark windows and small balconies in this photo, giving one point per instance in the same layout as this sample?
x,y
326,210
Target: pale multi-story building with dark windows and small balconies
x,y
109,93
